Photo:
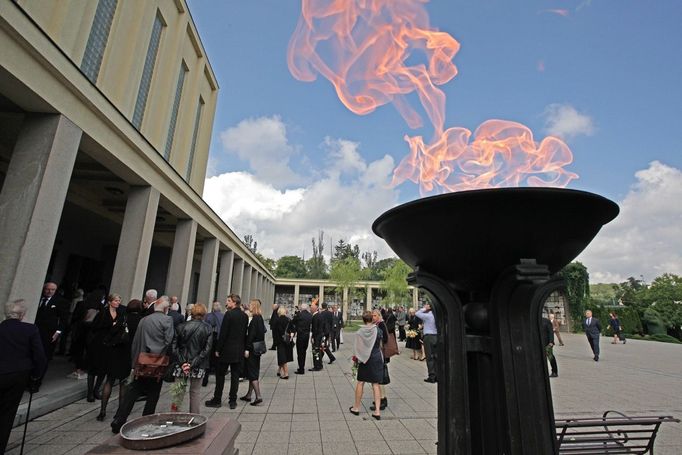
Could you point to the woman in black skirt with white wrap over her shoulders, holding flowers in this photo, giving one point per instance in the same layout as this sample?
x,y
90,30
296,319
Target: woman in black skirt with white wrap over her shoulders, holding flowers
x,y
370,364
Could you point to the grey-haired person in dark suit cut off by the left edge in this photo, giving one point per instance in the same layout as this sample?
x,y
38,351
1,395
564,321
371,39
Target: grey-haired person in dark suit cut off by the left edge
x,y
21,358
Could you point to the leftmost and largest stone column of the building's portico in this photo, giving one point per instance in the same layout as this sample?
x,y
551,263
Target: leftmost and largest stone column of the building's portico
x,y
31,201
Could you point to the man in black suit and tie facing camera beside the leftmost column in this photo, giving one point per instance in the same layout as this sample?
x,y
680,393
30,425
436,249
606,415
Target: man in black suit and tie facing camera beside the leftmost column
x,y
51,318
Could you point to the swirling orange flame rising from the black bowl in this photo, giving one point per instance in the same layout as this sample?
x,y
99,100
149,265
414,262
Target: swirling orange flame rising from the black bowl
x,y
367,48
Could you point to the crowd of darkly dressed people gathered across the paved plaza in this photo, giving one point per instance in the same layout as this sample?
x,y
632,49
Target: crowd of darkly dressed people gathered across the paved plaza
x,y
108,339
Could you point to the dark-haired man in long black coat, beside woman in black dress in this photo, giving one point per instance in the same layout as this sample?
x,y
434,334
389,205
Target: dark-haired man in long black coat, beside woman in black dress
x,y
230,351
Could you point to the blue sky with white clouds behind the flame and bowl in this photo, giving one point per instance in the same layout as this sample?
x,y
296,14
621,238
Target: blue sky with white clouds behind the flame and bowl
x,y
289,159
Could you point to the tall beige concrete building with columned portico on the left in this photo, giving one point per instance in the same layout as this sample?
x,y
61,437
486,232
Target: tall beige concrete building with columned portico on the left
x,y
106,111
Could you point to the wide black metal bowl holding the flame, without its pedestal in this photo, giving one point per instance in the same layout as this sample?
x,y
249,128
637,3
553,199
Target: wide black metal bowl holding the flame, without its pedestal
x,y
468,238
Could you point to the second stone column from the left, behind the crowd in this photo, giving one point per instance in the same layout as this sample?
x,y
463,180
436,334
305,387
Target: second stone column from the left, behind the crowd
x,y
132,256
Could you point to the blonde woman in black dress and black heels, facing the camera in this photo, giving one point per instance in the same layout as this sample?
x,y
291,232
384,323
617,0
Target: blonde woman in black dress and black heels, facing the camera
x,y
111,349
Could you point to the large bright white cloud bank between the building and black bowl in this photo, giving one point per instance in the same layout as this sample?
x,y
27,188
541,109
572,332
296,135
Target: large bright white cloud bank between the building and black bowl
x,y
343,202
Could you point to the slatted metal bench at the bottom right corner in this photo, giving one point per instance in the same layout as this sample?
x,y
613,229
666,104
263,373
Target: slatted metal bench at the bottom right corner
x,y
617,434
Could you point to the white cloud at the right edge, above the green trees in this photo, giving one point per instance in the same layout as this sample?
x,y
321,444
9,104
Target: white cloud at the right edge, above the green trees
x,y
645,237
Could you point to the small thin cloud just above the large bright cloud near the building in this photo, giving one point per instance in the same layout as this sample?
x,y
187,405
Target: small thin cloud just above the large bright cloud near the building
x,y
262,142
